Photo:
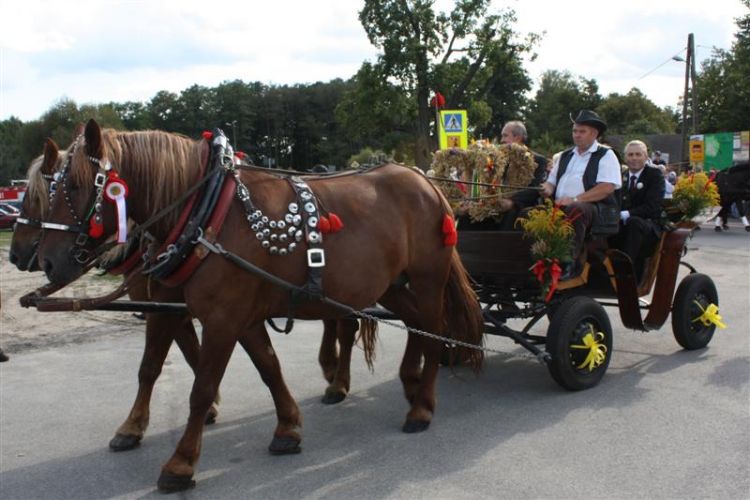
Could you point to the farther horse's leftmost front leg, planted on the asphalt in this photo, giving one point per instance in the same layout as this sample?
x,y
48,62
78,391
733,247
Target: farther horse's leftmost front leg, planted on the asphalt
x,y
130,433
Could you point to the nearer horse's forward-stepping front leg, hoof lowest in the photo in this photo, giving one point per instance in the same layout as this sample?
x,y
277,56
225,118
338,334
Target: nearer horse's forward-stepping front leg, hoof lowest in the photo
x,y
177,473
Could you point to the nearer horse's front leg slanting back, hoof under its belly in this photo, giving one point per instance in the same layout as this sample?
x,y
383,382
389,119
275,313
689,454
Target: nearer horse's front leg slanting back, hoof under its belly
x,y
286,438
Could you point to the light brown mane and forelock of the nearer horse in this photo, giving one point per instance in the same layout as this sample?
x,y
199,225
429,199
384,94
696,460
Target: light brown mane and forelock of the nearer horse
x,y
161,164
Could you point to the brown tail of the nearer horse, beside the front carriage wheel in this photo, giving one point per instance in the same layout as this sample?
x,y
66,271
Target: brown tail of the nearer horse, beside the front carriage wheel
x,y
463,313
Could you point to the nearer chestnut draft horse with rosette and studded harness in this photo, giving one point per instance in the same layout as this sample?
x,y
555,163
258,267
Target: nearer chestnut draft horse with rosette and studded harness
x,y
394,221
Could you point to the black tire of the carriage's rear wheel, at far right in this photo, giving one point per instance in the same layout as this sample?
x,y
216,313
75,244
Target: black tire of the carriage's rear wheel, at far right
x,y
688,333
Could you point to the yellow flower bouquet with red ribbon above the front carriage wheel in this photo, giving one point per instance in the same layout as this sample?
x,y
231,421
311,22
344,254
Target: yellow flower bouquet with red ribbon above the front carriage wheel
x,y
552,232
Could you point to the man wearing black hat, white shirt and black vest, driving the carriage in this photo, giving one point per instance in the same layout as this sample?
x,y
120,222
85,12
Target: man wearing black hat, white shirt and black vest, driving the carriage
x,y
583,182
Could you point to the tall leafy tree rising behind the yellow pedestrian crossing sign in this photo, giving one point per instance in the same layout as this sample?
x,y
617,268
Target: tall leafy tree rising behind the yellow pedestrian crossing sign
x,y
423,50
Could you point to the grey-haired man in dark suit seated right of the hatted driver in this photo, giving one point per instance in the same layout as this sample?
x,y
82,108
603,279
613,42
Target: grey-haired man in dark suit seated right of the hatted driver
x,y
642,195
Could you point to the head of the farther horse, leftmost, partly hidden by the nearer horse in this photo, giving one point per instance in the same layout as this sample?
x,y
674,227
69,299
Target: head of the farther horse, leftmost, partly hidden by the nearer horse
x,y
23,247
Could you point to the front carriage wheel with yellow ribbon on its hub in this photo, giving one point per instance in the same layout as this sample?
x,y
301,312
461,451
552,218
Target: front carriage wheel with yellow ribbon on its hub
x,y
579,341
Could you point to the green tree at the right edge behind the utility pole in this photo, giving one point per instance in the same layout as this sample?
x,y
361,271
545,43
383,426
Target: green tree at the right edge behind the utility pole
x,y
722,84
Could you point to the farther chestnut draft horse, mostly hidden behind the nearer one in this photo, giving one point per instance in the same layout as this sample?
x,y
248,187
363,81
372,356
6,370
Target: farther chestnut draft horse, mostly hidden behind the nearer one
x,y
164,328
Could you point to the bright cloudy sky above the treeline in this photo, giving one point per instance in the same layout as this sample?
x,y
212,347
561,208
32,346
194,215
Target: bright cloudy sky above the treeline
x,y
128,50
